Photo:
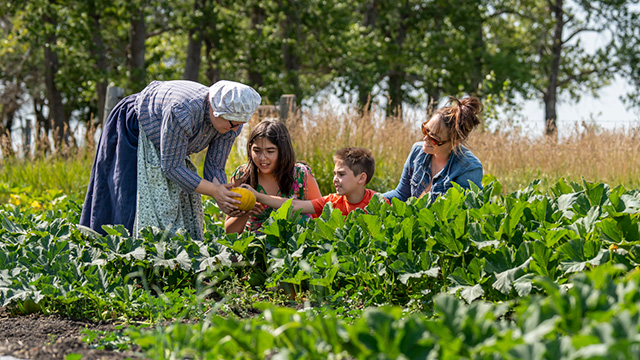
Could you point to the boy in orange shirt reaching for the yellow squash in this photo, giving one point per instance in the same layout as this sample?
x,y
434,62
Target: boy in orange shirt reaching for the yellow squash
x,y
353,169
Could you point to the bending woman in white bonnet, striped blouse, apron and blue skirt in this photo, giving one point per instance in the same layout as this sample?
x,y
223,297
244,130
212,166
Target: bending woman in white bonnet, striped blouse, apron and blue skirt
x,y
142,174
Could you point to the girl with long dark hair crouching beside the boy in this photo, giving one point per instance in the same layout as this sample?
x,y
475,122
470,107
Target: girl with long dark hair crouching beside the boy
x,y
271,169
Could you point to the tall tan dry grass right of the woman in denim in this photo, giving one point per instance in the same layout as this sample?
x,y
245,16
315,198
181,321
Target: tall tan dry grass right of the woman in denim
x,y
587,152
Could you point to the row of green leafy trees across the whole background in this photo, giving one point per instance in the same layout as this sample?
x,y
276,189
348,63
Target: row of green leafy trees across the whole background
x,y
58,56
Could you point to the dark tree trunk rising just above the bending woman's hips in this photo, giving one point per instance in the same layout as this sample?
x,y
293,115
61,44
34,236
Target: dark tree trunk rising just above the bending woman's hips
x,y
138,35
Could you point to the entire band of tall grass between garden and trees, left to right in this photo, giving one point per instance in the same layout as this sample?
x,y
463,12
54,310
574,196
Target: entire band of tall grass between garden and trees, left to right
x,y
514,157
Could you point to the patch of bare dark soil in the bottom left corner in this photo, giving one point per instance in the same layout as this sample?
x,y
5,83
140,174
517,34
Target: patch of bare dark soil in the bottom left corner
x,y
40,337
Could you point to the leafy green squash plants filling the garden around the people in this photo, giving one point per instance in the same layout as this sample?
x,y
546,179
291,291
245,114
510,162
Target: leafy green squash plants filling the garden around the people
x,y
480,260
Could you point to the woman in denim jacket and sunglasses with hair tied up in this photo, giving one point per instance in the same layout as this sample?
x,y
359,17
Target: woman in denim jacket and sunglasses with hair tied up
x,y
441,159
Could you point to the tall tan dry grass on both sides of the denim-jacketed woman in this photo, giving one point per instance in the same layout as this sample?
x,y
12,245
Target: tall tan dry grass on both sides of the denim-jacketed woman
x,y
514,156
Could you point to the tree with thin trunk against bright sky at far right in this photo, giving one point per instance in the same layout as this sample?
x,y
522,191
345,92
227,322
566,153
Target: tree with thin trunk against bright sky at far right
x,y
558,60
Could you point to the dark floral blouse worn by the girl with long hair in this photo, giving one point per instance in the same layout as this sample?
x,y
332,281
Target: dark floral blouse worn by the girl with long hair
x,y
301,174
